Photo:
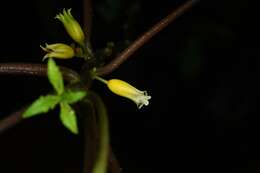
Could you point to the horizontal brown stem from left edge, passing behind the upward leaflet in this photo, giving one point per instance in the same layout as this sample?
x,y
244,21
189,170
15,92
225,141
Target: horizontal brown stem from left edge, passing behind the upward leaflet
x,y
35,70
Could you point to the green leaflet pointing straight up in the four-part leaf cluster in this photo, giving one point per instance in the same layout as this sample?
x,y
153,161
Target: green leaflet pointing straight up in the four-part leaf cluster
x,y
55,76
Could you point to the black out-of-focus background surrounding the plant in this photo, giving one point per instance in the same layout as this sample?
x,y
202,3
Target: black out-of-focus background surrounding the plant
x,y
201,72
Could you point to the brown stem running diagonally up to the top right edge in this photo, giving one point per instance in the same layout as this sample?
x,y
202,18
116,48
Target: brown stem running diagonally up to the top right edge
x,y
122,57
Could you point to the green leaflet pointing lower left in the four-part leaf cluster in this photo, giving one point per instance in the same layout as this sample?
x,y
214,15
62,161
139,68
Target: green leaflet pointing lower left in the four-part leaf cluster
x,y
42,105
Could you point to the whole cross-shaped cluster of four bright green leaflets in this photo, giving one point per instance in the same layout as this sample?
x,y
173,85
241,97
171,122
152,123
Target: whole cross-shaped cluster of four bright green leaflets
x,y
63,97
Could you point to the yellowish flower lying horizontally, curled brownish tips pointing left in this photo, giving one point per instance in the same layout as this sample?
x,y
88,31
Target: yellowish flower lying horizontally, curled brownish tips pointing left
x,y
58,50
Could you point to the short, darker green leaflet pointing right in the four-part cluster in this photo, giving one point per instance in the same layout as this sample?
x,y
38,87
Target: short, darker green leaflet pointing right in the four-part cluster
x,y
71,97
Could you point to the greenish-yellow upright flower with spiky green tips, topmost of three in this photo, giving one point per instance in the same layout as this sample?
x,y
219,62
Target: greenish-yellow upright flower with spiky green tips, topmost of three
x,y
72,26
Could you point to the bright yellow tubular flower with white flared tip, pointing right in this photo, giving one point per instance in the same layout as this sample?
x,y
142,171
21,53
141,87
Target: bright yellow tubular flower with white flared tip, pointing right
x,y
124,89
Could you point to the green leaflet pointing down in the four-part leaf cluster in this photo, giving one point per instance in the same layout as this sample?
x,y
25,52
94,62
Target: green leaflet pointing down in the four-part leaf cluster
x,y
68,117
